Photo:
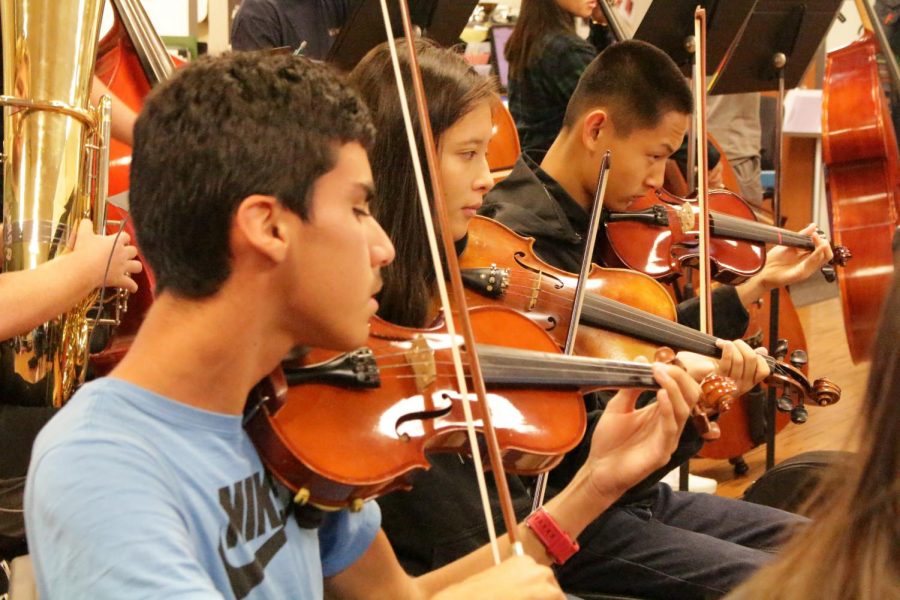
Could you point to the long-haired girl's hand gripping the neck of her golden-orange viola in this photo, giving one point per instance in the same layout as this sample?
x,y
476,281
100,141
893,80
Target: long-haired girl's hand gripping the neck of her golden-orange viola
x,y
739,362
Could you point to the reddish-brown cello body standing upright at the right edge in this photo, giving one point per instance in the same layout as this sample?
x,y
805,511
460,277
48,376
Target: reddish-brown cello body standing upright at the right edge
x,y
863,182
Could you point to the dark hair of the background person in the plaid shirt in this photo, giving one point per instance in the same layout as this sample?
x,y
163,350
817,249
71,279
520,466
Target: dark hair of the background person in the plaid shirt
x,y
538,19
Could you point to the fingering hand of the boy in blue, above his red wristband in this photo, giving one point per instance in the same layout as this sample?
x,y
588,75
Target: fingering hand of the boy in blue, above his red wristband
x,y
629,443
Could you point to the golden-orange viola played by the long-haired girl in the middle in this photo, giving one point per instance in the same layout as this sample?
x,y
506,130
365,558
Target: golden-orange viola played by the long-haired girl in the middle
x,y
625,314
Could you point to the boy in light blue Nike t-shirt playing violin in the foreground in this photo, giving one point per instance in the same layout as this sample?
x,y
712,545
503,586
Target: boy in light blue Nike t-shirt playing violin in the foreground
x,y
250,192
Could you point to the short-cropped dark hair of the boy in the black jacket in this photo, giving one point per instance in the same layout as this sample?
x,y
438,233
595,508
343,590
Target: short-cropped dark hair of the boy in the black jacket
x,y
636,82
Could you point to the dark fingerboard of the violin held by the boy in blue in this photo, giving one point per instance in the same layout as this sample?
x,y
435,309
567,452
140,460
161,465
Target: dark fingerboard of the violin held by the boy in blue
x,y
525,368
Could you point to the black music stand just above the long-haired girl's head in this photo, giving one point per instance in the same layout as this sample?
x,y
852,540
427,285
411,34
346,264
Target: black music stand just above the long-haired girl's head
x,y
439,20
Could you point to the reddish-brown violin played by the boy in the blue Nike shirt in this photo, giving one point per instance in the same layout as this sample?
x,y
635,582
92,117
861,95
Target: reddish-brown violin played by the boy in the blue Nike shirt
x,y
395,400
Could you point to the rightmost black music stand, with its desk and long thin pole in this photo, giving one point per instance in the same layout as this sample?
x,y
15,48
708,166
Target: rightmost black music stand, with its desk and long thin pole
x,y
779,41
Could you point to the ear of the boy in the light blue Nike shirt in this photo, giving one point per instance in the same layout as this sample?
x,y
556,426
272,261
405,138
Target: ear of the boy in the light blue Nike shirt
x,y
259,226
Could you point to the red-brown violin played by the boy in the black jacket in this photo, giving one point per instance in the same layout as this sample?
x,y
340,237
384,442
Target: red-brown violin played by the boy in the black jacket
x,y
659,238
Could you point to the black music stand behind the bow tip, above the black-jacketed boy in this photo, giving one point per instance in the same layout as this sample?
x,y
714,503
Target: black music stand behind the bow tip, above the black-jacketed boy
x,y
669,26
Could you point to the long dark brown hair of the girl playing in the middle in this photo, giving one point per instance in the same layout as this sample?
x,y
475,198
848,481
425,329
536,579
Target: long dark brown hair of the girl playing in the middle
x,y
453,90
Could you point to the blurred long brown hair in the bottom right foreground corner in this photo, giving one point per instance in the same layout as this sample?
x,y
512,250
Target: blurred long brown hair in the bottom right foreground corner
x,y
849,550
